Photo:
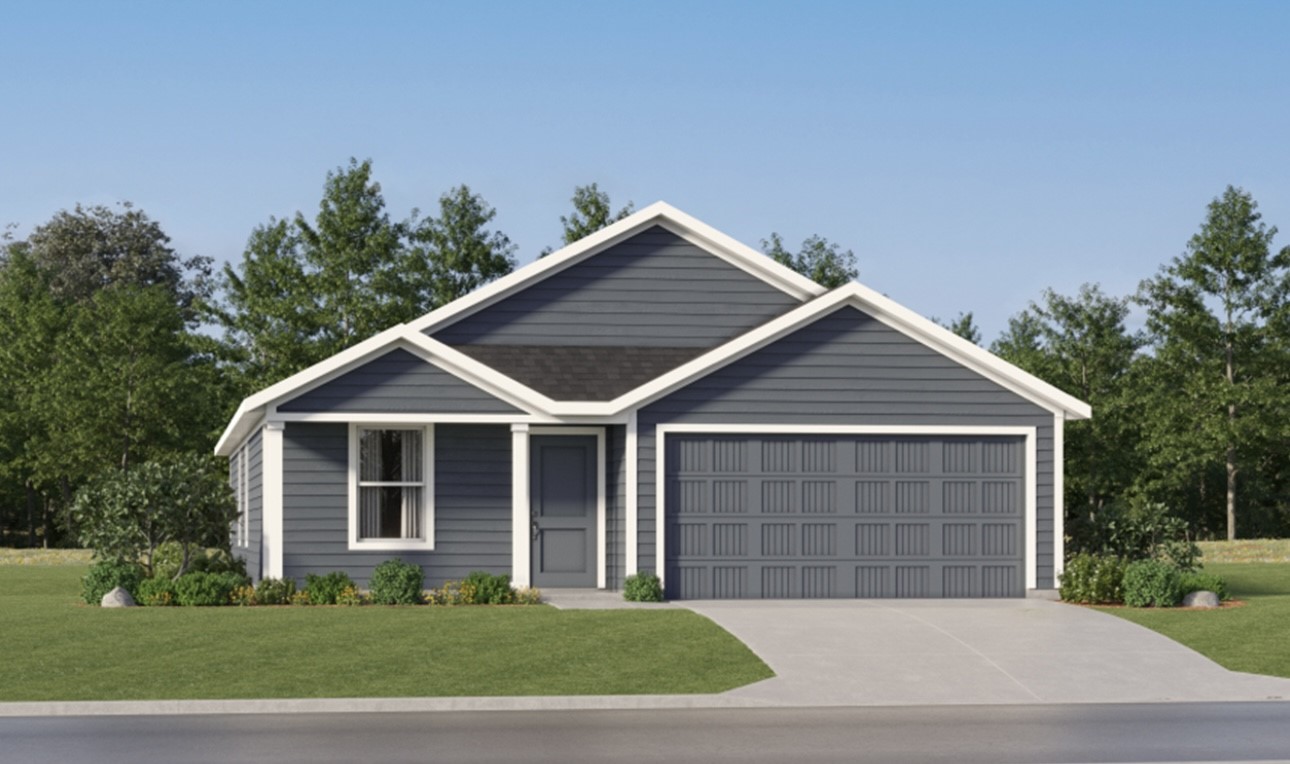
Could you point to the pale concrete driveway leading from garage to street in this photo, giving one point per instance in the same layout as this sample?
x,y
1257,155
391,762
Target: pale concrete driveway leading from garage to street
x,y
898,652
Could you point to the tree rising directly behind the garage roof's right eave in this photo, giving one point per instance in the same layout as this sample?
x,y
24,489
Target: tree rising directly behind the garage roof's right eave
x,y
1082,345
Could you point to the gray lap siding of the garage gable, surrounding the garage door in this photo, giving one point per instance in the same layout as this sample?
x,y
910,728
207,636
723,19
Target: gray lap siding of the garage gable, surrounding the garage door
x,y
848,368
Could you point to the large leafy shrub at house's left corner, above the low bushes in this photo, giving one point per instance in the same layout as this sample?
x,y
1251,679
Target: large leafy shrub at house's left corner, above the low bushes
x,y
127,516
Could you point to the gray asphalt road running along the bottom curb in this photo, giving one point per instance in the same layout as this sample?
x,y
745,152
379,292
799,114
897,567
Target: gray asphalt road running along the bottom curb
x,y
1173,732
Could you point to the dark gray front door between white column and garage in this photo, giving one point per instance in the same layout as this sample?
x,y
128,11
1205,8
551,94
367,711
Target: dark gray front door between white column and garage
x,y
563,476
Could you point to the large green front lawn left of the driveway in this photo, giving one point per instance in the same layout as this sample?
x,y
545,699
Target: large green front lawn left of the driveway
x,y
57,648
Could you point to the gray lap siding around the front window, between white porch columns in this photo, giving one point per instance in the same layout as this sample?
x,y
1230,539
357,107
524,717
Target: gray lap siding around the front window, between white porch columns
x,y
473,504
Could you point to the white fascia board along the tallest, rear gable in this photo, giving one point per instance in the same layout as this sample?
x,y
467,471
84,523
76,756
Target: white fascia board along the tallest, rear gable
x,y
656,215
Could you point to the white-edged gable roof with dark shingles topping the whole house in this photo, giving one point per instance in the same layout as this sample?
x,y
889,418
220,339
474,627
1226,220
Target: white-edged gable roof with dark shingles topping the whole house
x,y
611,399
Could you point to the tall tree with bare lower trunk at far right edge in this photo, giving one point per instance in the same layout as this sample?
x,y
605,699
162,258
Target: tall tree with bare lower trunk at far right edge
x,y
1217,317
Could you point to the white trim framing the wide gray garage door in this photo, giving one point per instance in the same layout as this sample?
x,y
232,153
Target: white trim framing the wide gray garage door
x,y
1029,434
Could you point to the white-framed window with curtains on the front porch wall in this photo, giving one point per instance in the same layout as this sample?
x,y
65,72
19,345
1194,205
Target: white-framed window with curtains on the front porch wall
x,y
393,488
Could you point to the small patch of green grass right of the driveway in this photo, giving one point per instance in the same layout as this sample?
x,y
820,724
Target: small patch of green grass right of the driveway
x,y
1255,638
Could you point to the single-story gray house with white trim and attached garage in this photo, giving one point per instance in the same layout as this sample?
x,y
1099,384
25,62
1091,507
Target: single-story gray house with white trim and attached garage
x,y
660,397
